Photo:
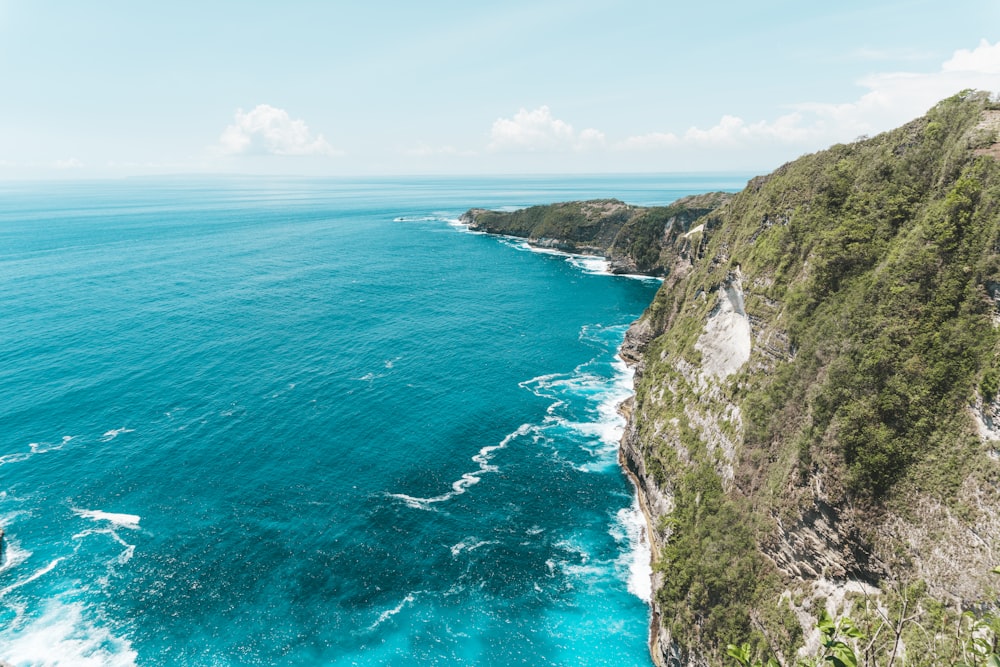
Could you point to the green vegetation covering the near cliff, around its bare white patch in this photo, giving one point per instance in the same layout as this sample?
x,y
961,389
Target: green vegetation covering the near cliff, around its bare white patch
x,y
867,270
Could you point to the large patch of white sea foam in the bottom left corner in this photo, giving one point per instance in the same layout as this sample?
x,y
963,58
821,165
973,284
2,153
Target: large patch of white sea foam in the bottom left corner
x,y
63,636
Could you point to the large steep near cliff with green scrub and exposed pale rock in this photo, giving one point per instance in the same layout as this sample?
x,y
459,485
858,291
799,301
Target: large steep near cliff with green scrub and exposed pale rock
x,y
816,394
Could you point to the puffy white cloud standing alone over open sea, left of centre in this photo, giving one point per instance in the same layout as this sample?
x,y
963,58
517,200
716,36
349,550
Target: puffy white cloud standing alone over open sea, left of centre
x,y
267,130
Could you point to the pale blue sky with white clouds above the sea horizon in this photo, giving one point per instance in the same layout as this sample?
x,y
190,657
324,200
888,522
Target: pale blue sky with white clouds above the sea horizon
x,y
113,88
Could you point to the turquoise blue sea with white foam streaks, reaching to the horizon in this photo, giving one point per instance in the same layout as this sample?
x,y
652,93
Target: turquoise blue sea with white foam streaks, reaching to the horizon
x,y
271,421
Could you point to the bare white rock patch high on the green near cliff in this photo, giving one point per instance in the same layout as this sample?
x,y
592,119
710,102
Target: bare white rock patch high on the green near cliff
x,y
725,344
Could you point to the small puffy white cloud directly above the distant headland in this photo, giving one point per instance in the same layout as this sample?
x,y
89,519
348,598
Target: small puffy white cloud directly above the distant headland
x,y
537,130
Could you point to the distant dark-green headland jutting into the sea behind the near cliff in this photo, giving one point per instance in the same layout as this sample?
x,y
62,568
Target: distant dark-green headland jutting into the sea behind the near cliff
x,y
635,239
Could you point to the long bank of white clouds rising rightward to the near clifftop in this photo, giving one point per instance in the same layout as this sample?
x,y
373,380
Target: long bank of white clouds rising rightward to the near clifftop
x,y
886,100
